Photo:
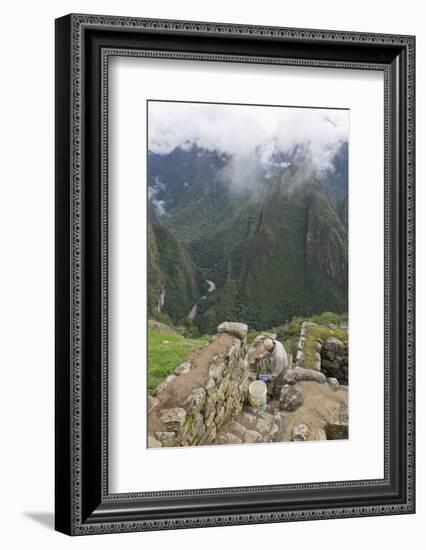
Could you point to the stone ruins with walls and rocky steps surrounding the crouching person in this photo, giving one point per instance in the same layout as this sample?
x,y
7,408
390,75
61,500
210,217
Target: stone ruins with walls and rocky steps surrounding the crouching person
x,y
206,401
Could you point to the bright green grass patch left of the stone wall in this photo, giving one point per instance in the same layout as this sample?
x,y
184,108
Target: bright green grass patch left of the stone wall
x,y
166,352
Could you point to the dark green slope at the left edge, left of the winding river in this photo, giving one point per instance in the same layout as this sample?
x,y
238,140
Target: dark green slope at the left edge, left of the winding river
x,y
174,282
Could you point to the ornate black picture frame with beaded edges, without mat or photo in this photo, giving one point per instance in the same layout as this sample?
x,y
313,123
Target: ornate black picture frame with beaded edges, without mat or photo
x,y
83,45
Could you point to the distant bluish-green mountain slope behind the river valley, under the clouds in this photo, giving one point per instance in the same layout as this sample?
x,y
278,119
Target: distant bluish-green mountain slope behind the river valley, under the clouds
x,y
201,210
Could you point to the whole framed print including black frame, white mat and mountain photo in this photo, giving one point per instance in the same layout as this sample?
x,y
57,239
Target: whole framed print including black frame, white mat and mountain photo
x,y
234,274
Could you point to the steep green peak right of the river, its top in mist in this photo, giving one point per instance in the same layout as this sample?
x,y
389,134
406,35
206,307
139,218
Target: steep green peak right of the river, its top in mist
x,y
295,262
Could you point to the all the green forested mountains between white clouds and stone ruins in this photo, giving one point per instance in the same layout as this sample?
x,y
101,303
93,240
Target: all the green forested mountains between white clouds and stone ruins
x,y
273,252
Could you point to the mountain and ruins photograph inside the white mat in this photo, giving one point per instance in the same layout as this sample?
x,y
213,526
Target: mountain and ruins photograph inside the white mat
x,y
247,273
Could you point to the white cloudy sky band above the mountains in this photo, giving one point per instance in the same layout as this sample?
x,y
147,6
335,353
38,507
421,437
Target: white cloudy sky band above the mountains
x,y
243,130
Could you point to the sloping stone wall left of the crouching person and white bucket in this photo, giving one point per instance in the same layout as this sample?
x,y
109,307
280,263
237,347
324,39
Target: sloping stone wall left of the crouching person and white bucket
x,y
205,392
